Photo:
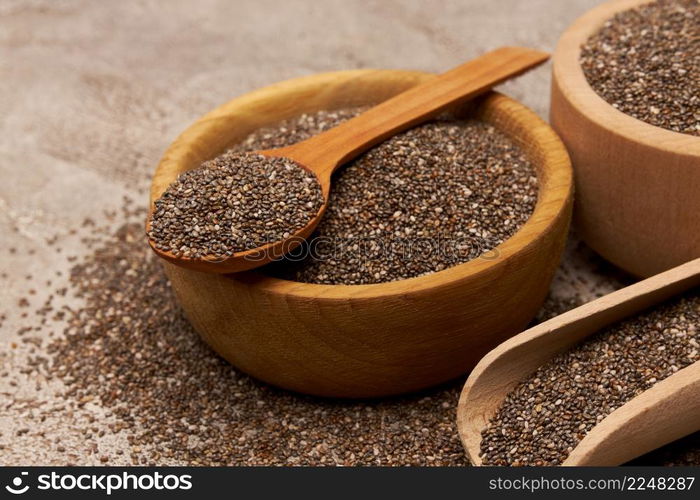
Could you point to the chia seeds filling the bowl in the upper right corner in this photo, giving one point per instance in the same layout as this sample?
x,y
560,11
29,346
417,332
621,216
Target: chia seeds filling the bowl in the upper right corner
x,y
646,63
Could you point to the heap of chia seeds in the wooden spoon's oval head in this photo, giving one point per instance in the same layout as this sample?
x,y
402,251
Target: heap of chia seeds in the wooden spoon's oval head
x,y
233,203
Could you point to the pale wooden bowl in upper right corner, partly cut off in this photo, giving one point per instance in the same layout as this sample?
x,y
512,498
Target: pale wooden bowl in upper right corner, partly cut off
x,y
637,185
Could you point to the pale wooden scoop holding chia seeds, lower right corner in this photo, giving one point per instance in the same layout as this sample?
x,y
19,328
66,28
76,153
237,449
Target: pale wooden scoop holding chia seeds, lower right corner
x,y
667,411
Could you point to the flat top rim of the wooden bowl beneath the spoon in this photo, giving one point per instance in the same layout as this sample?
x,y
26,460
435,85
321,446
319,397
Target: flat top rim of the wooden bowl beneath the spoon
x,y
554,192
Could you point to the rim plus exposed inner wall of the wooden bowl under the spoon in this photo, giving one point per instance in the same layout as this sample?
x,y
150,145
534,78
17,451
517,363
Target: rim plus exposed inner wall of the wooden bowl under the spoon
x,y
231,123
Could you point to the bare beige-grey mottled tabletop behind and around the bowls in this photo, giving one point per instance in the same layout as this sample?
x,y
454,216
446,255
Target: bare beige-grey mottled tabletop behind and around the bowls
x,y
92,93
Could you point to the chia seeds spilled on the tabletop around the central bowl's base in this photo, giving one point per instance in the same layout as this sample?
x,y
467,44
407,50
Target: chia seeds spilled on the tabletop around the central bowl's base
x,y
130,349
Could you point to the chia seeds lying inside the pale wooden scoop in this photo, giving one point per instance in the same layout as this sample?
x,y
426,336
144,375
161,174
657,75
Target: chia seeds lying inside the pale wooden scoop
x,y
543,419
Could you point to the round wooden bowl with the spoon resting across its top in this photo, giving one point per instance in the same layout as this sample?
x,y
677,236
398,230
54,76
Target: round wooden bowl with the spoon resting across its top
x,y
380,339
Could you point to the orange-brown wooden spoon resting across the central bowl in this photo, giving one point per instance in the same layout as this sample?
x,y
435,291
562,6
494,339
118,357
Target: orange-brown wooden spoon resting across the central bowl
x,y
324,153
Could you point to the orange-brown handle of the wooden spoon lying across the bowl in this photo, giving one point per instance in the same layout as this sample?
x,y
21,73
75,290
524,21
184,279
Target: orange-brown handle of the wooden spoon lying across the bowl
x,y
323,153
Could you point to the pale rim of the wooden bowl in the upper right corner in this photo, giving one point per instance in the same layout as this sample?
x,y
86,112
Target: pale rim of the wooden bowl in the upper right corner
x,y
569,75
